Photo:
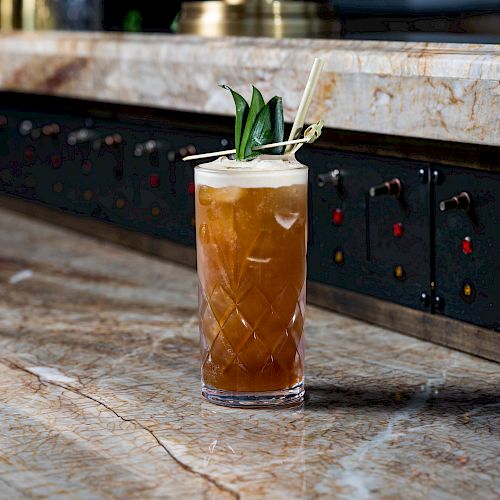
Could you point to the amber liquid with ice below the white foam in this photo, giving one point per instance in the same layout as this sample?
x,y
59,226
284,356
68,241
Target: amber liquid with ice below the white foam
x,y
251,251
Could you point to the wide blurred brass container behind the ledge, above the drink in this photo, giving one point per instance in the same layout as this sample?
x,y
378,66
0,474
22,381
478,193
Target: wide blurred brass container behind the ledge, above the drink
x,y
268,18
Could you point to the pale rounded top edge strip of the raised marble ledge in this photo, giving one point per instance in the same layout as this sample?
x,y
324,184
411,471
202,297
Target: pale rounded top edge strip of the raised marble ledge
x,y
413,59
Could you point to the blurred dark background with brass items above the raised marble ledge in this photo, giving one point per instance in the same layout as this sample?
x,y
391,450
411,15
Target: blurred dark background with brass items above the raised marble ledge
x,y
471,21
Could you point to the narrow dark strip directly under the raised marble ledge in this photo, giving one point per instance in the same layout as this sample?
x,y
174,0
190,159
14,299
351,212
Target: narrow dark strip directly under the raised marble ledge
x,y
441,152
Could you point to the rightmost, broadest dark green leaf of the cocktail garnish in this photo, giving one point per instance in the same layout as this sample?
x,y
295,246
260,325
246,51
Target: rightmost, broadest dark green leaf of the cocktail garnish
x,y
268,127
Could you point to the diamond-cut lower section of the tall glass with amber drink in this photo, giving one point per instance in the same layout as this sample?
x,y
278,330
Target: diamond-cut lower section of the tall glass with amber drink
x,y
235,346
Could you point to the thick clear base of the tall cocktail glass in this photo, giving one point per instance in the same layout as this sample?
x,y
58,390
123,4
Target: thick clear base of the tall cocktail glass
x,y
268,399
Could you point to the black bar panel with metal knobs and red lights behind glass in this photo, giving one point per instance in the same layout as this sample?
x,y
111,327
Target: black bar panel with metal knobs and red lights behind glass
x,y
124,166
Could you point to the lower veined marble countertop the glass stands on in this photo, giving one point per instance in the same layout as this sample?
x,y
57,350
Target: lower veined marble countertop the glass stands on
x,y
100,394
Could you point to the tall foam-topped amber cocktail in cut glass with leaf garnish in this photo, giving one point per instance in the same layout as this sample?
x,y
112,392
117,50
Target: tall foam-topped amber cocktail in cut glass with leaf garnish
x,y
251,232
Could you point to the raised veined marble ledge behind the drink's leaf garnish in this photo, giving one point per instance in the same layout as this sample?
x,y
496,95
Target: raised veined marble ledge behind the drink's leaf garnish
x,y
426,90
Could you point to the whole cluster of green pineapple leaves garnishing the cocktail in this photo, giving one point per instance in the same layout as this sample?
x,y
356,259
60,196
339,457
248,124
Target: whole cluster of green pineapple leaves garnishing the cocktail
x,y
257,124
